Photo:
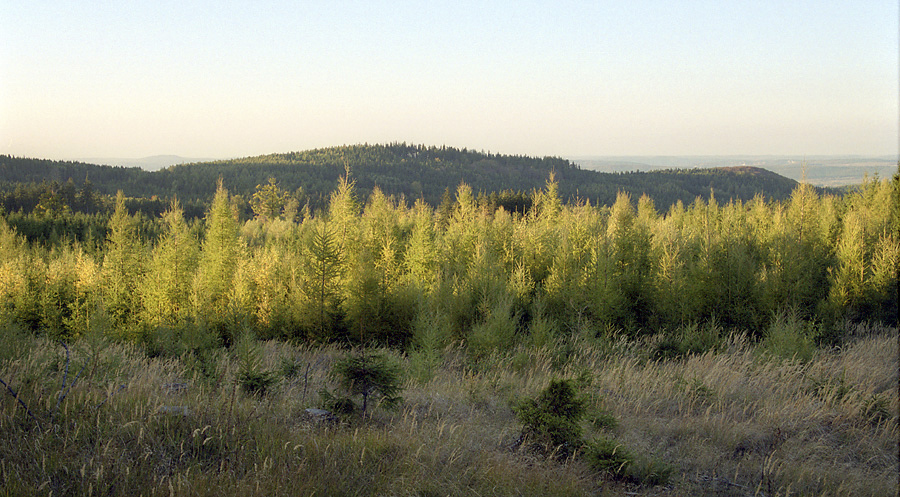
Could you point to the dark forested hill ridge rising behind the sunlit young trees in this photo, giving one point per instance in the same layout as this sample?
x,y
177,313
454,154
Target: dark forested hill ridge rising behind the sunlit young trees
x,y
414,171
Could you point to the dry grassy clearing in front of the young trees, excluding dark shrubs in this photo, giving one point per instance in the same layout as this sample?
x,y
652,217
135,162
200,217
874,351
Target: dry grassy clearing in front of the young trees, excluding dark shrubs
x,y
732,421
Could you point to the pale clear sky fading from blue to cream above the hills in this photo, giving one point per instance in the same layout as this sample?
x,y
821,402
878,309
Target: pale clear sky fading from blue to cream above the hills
x,y
553,78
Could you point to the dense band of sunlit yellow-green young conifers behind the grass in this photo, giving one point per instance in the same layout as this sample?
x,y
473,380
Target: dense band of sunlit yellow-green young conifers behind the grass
x,y
387,273
